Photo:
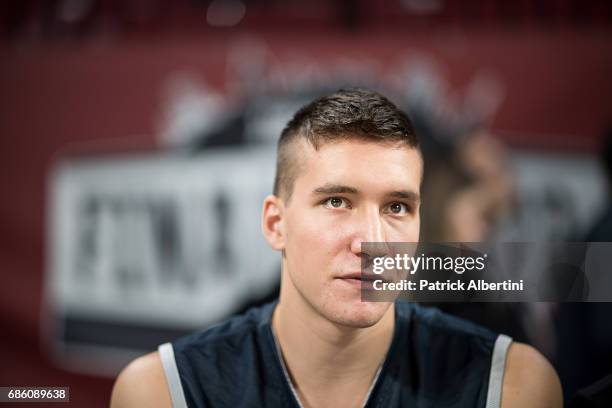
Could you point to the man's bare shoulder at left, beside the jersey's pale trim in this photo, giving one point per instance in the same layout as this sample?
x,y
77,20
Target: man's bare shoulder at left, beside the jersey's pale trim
x,y
141,383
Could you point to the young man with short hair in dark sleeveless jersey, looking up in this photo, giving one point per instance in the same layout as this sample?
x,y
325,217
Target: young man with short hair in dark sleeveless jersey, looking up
x,y
348,171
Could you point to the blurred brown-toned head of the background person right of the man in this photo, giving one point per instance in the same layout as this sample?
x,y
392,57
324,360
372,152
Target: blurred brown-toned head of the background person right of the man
x,y
468,190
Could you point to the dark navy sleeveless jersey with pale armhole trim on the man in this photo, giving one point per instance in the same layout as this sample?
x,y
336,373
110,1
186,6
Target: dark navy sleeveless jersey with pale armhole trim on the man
x,y
435,360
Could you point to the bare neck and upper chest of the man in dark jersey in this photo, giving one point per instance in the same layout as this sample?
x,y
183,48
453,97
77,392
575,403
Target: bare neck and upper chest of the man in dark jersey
x,y
322,355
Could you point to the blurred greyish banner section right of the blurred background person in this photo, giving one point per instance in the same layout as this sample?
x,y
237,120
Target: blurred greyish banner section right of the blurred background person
x,y
558,195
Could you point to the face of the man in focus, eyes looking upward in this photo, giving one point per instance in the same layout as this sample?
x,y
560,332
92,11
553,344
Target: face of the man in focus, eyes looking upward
x,y
347,193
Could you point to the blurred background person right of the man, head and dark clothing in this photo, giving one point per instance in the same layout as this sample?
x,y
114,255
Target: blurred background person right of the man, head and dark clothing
x,y
467,191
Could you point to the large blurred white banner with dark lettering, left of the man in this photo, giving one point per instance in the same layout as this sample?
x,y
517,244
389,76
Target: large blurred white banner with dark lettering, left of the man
x,y
144,248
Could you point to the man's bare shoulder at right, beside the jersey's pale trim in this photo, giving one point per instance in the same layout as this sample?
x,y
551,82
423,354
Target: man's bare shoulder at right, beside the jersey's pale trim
x,y
529,379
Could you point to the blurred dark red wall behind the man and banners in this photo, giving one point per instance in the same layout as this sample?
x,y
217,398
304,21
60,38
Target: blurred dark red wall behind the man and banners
x,y
99,77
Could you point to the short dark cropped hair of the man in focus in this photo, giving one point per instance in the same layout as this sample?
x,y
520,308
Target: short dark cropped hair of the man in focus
x,y
342,115
